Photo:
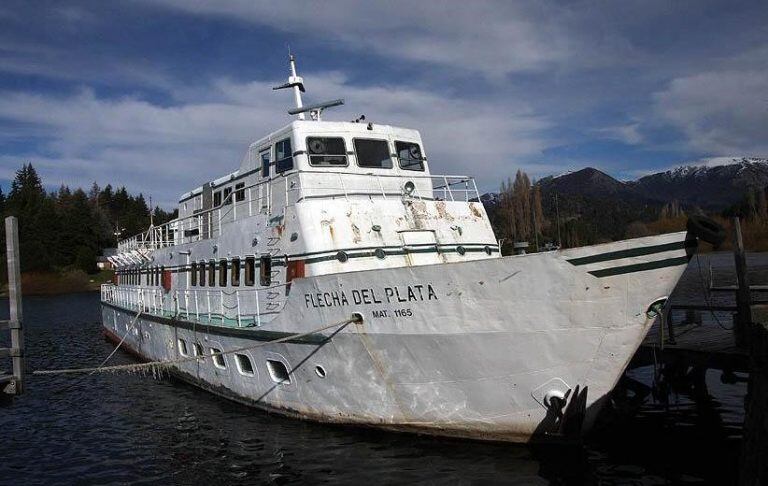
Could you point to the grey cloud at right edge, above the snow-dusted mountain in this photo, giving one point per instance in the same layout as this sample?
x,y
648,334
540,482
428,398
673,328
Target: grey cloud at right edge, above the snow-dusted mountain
x,y
720,112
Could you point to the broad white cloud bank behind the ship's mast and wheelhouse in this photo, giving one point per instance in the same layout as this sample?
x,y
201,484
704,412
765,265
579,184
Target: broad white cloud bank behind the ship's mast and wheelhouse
x,y
167,150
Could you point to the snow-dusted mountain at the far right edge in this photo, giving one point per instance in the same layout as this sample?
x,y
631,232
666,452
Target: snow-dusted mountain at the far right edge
x,y
713,186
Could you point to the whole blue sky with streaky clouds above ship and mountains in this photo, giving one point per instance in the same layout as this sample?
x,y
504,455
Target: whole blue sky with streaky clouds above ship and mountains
x,y
163,95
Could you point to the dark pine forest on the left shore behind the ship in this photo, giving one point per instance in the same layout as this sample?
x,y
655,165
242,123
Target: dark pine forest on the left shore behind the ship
x,y
67,229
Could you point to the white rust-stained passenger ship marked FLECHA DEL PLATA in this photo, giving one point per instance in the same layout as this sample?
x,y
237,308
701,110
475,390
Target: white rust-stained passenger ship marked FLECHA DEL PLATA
x,y
334,278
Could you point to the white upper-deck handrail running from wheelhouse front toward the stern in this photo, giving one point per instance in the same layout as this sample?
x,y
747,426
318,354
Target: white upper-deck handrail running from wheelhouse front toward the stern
x,y
208,223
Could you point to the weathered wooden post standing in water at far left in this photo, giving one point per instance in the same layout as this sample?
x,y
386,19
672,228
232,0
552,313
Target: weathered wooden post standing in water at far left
x,y
14,294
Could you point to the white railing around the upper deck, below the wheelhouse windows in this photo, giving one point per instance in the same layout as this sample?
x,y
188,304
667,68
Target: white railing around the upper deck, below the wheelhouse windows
x,y
296,187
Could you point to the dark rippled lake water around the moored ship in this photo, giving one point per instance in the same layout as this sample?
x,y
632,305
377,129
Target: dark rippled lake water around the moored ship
x,y
117,429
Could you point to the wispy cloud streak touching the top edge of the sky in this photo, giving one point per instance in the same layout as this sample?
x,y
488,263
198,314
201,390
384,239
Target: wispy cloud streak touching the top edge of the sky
x,y
492,38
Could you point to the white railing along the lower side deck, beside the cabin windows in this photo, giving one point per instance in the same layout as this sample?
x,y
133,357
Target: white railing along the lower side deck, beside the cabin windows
x,y
239,308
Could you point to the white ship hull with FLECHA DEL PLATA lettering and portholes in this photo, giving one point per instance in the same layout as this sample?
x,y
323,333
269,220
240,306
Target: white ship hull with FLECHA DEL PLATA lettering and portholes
x,y
467,349
